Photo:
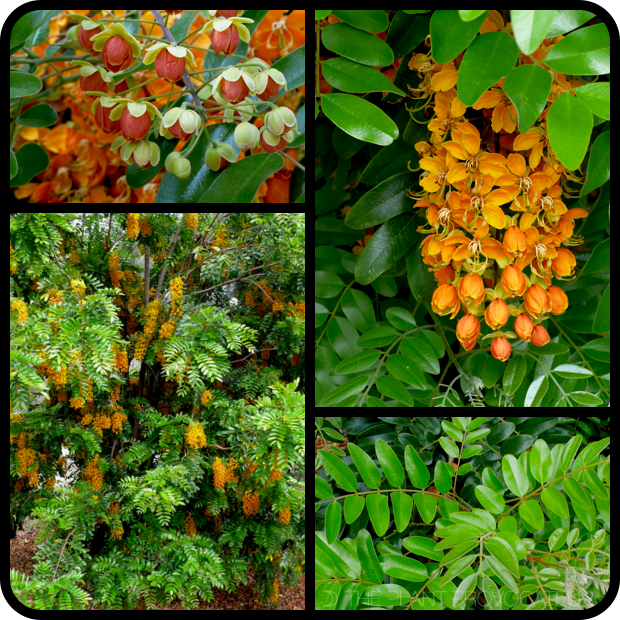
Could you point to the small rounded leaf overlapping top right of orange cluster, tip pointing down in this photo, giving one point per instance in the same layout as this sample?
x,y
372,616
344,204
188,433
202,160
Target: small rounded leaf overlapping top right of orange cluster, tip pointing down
x,y
528,87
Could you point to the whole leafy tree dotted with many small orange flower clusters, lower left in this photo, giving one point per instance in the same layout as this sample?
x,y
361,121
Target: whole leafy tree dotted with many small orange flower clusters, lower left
x,y
155,365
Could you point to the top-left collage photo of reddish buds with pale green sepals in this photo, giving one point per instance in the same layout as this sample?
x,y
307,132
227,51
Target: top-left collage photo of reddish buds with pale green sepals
x,y
186,94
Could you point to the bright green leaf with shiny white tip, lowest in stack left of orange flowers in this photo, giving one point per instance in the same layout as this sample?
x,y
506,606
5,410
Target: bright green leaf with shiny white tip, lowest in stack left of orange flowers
x,y
359,118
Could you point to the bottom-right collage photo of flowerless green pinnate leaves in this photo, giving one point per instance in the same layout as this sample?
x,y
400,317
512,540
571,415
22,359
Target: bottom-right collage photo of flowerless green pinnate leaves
x,y
516,516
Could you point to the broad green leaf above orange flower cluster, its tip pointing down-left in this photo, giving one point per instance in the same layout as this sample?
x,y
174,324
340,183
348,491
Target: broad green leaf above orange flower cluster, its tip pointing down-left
x,y
489,58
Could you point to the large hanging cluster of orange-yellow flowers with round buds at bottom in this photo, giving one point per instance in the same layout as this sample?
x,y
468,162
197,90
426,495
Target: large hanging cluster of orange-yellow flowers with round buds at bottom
x,y
493,213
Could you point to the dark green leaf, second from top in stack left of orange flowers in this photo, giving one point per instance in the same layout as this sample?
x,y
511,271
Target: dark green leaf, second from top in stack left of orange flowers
x,y
356,45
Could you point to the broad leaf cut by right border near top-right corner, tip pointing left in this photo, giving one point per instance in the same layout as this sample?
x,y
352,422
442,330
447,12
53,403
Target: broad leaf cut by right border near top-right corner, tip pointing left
x,y
583,52
